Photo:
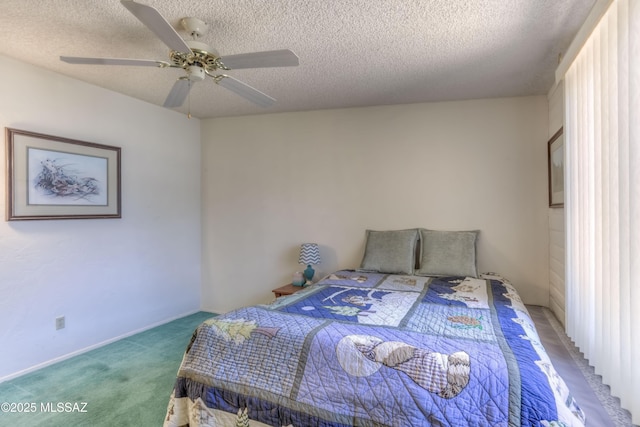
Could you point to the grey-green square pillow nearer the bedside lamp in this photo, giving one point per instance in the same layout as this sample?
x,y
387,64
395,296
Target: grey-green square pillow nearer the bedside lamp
x,y
390,251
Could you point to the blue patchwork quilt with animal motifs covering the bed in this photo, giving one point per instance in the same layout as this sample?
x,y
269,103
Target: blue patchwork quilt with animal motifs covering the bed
x,y
371,349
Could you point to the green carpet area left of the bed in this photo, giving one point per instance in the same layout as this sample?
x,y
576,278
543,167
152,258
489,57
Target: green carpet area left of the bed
x,y
126,383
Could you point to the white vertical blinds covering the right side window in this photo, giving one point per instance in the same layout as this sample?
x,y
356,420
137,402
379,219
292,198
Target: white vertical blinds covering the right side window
x,y
602,206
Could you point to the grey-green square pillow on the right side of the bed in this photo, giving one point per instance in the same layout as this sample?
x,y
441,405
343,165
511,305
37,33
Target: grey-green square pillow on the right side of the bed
x,y
448,253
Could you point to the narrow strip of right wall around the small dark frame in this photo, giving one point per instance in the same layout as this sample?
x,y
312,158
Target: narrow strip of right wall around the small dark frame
x,y
556,218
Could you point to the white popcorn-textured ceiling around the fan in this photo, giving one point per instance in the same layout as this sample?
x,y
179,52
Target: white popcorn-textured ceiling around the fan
x,y
353,53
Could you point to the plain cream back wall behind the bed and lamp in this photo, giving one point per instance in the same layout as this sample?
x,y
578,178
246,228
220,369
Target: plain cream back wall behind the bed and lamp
x,y
271,182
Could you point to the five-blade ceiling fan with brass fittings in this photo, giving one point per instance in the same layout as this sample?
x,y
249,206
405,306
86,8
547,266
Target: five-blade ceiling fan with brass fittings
x,y
197,59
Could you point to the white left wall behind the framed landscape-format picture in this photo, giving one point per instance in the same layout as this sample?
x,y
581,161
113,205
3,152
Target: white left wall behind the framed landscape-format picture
x,y
108,277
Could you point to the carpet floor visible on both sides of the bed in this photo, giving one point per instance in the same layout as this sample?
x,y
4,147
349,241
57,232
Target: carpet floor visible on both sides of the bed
x,y
128,383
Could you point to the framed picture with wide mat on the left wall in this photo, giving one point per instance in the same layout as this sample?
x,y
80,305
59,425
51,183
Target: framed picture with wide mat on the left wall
x,y
50,177
